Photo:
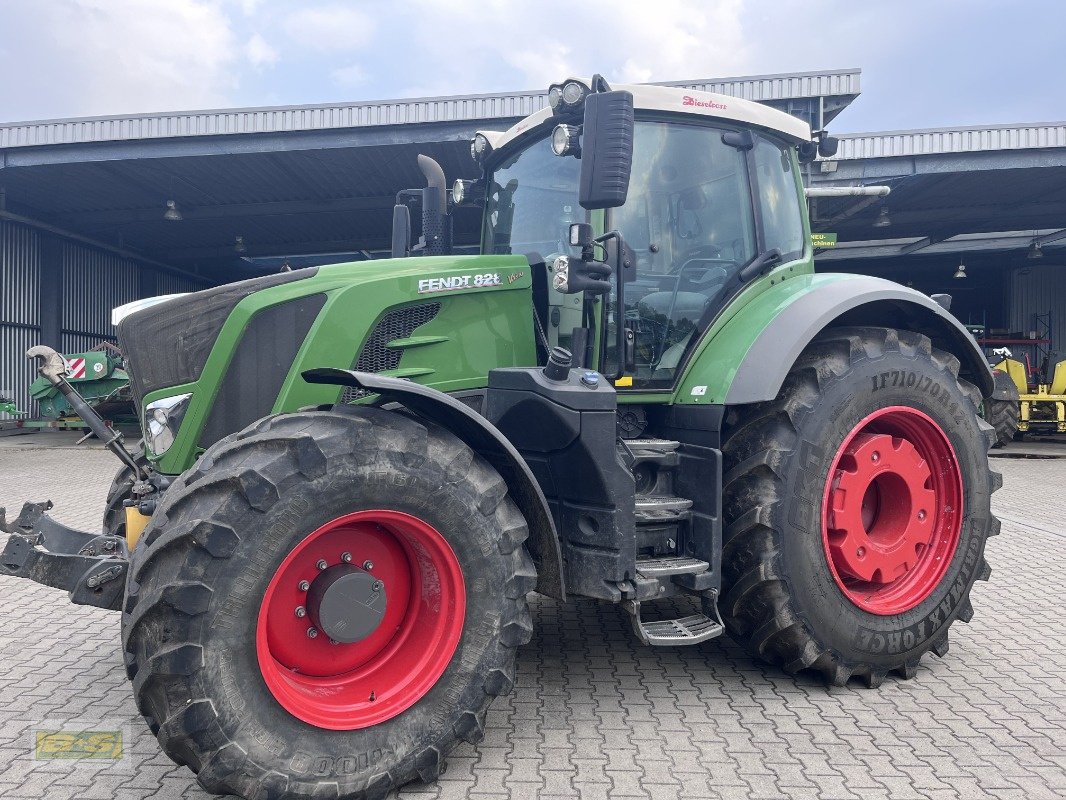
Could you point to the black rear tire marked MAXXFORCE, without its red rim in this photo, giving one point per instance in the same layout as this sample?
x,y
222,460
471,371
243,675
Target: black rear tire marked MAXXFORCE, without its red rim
x,y
781,598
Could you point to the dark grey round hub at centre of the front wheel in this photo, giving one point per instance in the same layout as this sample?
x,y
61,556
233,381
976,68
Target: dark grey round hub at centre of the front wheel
x,y
347,603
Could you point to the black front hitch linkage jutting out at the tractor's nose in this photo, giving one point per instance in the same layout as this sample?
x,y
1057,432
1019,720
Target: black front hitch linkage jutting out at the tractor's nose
x,y
91,567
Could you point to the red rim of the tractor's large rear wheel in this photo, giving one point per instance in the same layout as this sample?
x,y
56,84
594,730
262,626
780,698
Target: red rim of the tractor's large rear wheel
x,y
893,510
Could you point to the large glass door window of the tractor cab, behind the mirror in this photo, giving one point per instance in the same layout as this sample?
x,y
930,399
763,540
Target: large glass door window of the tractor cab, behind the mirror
x,y
690,221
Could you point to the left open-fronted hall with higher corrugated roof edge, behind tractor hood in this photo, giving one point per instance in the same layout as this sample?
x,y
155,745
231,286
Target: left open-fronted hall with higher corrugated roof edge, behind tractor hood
x,y
83,201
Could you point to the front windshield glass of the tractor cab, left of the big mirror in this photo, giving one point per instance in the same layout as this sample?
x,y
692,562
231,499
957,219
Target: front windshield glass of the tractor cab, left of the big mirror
x,y
532,201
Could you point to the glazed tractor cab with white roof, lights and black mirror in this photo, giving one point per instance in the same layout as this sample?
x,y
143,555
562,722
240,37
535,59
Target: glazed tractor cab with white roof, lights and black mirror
x,y
684,202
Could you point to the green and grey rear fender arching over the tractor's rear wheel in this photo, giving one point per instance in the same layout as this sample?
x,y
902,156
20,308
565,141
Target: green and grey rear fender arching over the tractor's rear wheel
x,y
747,360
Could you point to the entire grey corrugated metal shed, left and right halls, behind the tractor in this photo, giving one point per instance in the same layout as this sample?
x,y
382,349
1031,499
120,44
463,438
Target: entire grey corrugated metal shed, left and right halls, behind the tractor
x,y
83,202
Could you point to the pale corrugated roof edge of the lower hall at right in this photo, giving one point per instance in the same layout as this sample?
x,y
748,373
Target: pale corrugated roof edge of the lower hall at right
x,y
940,141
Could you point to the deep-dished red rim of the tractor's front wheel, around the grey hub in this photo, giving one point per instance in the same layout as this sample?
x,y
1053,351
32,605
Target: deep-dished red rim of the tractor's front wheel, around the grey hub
x,y
348,686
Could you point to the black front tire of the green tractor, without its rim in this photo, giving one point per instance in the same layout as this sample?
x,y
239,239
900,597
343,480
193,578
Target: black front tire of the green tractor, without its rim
x,y
200,574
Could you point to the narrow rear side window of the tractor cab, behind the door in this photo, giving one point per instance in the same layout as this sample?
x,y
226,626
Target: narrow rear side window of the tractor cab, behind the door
x,y
778,199
